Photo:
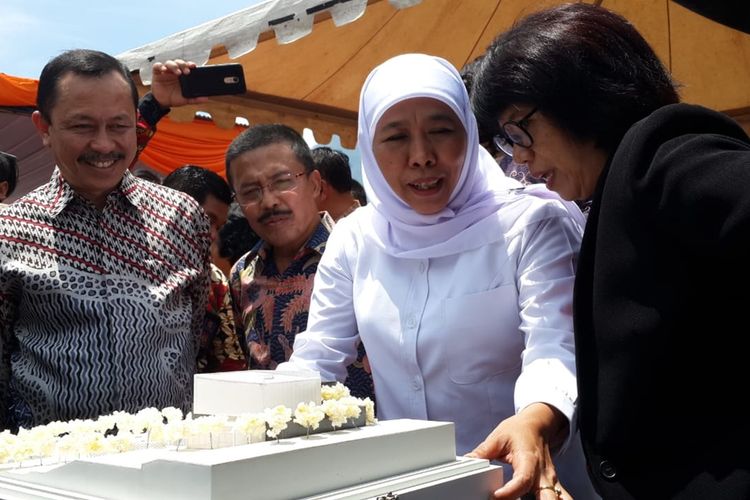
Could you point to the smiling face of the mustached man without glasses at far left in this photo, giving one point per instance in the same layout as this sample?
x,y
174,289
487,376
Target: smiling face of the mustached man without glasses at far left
x,y
91,132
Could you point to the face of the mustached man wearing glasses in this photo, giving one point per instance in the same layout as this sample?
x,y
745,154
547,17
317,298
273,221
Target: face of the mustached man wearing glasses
x,y
284,219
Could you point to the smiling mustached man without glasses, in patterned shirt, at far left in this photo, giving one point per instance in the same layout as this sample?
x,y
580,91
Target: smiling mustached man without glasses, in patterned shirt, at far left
x,y
103,277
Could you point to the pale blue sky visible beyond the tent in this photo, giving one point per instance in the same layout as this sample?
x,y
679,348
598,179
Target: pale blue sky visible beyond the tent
x,y
34,31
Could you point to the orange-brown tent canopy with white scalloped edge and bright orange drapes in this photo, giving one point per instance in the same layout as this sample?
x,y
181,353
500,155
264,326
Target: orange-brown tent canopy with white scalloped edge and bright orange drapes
x,y
314,82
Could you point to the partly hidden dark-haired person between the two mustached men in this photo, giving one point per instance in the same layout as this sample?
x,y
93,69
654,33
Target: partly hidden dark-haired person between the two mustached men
x,y
220,348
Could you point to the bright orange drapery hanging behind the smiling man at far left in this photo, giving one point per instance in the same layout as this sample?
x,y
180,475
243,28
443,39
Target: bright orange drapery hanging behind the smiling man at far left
x,y
200,142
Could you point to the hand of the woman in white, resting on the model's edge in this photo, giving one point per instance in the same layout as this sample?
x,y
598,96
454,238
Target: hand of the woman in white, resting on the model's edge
x,y
524,441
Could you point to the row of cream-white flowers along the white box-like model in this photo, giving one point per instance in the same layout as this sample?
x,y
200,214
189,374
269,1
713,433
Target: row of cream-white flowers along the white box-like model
x,y
120,431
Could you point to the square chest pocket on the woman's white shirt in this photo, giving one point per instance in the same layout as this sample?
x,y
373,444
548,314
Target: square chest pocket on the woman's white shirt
x,y
486,337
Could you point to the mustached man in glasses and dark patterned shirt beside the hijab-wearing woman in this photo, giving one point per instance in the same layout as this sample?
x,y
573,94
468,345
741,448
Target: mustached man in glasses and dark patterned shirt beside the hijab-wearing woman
x,y
274,179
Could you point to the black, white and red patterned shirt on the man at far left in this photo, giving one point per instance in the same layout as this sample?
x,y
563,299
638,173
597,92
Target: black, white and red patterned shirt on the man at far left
x,y
99,310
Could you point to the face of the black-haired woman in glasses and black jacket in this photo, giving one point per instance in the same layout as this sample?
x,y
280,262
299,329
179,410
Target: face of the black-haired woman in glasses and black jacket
x,y
568,166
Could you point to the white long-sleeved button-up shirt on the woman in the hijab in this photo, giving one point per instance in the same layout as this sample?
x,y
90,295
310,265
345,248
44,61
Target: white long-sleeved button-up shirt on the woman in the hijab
x,y
470,338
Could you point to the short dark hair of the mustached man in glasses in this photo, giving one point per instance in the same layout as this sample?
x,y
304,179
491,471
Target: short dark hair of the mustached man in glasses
x,y
258,136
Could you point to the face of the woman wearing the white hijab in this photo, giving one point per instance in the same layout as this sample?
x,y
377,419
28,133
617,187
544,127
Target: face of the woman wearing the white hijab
x,y
420,145
